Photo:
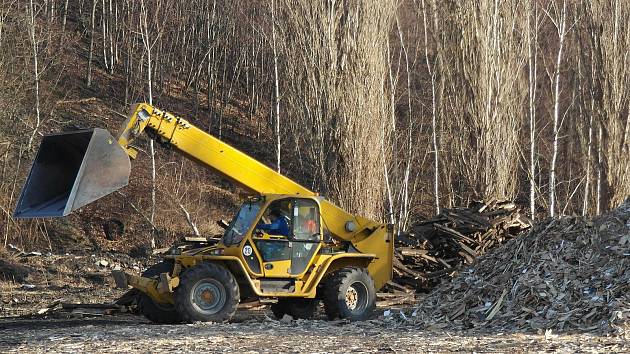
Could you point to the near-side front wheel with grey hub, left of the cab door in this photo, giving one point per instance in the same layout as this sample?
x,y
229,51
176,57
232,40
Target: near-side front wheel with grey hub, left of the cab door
x,y
207,292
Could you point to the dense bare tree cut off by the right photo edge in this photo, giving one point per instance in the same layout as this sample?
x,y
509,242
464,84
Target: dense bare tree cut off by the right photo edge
x,y
610,36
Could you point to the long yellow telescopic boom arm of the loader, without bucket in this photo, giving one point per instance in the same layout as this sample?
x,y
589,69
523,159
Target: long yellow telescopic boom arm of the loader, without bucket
x,y
232,164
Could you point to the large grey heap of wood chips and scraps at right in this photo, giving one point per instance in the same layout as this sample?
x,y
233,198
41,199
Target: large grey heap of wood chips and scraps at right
x,y
571,273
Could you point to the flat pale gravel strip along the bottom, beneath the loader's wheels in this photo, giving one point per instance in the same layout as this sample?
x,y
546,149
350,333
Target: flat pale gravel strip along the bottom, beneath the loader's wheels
x,y
260,334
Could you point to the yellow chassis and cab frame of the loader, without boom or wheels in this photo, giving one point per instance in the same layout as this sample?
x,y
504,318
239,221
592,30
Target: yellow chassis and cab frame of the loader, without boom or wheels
x,y
306,282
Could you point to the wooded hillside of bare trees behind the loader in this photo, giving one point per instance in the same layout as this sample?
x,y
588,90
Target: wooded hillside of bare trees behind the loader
x,y
393,109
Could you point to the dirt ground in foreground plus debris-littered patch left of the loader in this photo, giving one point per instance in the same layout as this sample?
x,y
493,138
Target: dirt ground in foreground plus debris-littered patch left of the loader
x,y
41,281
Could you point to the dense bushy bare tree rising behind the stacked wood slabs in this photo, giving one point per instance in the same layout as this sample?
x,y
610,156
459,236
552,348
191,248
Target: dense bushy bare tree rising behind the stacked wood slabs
x,y
485,93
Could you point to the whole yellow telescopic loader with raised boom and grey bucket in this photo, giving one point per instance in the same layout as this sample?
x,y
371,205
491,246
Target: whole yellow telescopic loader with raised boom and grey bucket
x,y
324,253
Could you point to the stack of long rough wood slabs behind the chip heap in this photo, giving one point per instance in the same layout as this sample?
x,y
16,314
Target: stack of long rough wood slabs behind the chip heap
x,y
437,248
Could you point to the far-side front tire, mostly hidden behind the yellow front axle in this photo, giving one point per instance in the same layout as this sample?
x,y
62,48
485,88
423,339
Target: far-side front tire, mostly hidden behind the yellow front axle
x,y
158,313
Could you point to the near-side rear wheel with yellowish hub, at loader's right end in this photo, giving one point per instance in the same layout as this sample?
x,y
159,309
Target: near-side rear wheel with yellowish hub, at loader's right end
x,y
349,293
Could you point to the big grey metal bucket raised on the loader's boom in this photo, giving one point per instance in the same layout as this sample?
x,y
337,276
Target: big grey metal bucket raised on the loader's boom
x,y
71,170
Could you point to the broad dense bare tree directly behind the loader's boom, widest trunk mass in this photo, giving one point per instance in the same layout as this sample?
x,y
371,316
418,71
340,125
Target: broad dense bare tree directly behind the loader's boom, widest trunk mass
x,y
335,76
